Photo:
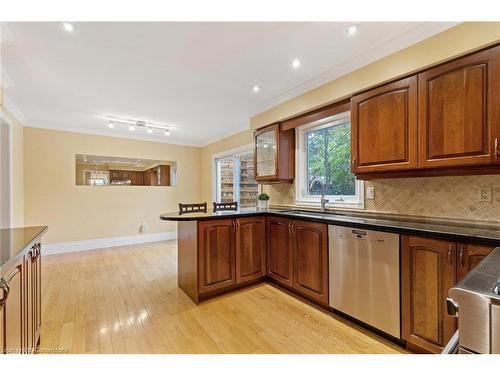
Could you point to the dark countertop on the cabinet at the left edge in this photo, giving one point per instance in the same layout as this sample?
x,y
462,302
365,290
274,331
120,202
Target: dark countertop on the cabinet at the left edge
x,y
14,240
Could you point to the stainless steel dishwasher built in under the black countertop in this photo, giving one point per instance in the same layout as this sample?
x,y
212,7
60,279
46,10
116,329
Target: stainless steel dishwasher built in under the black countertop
x,y
364,276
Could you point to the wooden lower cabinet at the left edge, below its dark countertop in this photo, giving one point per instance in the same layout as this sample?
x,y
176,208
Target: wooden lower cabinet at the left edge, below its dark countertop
x,y
20,304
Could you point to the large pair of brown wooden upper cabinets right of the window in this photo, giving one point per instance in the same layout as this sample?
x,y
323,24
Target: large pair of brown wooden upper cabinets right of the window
x,y
443,121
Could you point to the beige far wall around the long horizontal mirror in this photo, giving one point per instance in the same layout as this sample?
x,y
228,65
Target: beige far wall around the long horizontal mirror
x,y
84,212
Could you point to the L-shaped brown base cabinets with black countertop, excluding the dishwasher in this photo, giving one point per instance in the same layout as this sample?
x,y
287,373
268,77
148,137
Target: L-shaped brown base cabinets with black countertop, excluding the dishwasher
x,y
223,251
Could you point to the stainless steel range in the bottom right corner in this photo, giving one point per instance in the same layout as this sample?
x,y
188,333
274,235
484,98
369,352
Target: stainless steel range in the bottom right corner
x,y
476,302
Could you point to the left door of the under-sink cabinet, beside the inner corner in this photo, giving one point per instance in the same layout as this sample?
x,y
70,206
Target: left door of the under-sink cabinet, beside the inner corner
x,y
279,250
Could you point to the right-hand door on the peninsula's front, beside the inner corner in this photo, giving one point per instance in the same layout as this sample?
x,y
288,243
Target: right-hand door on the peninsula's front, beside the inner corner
x,y
250,248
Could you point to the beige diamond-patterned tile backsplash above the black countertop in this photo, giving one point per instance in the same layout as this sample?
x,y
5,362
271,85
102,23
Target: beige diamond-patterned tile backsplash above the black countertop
x,y
434,197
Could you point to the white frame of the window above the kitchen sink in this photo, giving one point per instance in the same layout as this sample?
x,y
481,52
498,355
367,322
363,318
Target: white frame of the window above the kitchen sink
x,y
356,201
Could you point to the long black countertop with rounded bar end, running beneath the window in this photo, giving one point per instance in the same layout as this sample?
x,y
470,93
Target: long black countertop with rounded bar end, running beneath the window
x,y
448,230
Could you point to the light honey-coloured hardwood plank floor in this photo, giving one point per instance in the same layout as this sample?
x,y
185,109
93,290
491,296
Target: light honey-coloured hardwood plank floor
x,y
126,300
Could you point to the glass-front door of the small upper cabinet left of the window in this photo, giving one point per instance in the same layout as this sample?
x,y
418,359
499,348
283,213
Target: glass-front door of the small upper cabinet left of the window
x,y
266,157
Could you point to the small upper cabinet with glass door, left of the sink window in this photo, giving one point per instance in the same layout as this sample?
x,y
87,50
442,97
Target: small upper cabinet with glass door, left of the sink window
x,y
274,154
